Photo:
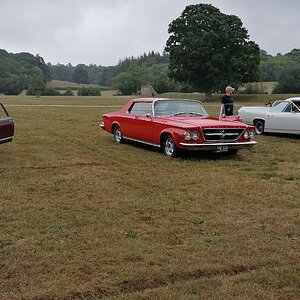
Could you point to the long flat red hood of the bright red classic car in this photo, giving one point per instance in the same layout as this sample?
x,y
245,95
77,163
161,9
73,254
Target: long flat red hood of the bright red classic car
x,y
202,122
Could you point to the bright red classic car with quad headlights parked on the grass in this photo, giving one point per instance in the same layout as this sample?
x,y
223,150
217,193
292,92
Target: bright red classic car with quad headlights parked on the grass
x,y
174,124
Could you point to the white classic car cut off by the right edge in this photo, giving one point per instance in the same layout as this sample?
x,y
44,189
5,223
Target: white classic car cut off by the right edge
x,y
282,117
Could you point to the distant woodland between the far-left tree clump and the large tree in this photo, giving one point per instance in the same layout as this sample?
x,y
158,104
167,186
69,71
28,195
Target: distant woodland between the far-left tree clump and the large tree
x,y
127,76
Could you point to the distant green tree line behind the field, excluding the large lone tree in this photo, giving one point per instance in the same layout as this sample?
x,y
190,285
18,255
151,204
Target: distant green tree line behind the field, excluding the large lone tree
x,y
23,70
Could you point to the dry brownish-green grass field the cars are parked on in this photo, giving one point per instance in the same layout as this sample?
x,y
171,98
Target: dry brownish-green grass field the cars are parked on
x,y
82,217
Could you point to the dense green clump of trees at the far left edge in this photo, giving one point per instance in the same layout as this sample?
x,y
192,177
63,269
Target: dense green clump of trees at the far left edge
x,y
18,70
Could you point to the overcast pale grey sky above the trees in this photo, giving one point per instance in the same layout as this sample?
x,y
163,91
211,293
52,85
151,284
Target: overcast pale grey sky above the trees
x,y
102,32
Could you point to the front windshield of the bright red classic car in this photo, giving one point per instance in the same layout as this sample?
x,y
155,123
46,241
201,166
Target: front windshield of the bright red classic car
x,y
179,107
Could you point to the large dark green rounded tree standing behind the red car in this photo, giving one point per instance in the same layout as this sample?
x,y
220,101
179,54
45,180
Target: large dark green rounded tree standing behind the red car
x,y
209,49
